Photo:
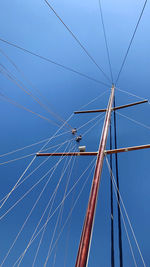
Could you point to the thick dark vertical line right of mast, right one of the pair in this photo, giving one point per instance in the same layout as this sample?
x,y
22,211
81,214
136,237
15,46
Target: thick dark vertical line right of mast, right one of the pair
x,y
117,178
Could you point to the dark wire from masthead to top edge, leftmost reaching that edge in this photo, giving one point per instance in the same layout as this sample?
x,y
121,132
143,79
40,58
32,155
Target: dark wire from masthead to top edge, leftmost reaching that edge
x,y
76,39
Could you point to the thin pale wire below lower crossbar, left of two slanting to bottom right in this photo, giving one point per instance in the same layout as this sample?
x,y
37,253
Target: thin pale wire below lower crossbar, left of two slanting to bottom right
x,y
113,179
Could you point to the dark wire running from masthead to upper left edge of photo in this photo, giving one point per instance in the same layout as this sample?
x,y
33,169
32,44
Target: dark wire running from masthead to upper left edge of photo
x,y
51,61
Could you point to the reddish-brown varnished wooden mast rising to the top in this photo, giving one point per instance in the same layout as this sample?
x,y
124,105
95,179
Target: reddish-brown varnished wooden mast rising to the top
x,y
84,246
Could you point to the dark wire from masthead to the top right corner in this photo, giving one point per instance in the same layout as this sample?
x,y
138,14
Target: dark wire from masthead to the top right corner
x,y
130,43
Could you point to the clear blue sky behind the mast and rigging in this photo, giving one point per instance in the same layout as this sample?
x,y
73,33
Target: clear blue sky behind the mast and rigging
x,y
32,25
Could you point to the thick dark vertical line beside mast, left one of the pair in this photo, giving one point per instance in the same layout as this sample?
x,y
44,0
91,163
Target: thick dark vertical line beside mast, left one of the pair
x,y
111,203
